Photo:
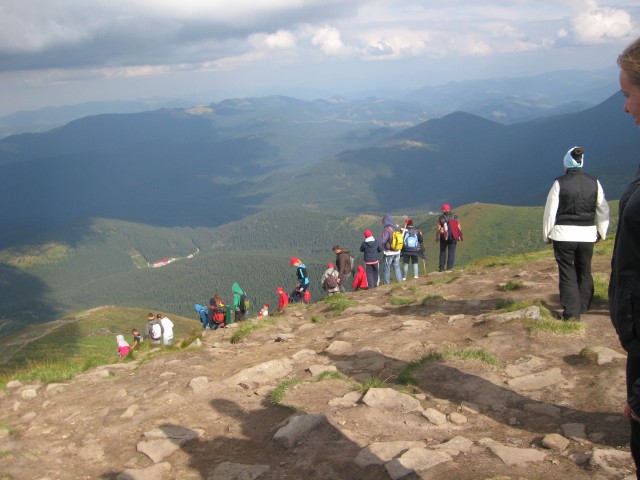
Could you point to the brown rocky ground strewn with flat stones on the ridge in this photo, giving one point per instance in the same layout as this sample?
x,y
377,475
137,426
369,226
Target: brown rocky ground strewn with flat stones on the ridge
x,y
547,411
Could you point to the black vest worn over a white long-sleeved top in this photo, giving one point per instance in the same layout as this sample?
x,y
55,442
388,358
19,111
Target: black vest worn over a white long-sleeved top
x,y
578,198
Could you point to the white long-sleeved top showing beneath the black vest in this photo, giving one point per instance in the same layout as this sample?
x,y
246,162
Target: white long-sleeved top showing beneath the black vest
x,y
574,233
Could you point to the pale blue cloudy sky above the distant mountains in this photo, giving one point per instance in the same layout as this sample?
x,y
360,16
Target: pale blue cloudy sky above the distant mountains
x,y
65,52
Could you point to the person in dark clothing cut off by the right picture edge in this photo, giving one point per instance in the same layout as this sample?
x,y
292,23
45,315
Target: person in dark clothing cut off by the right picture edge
x,y
624,284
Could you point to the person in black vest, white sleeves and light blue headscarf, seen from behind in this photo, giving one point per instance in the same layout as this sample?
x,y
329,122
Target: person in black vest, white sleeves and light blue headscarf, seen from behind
x,y
576,200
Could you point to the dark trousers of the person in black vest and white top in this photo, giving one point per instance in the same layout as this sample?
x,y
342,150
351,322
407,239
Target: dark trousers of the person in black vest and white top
x,y
576,282
